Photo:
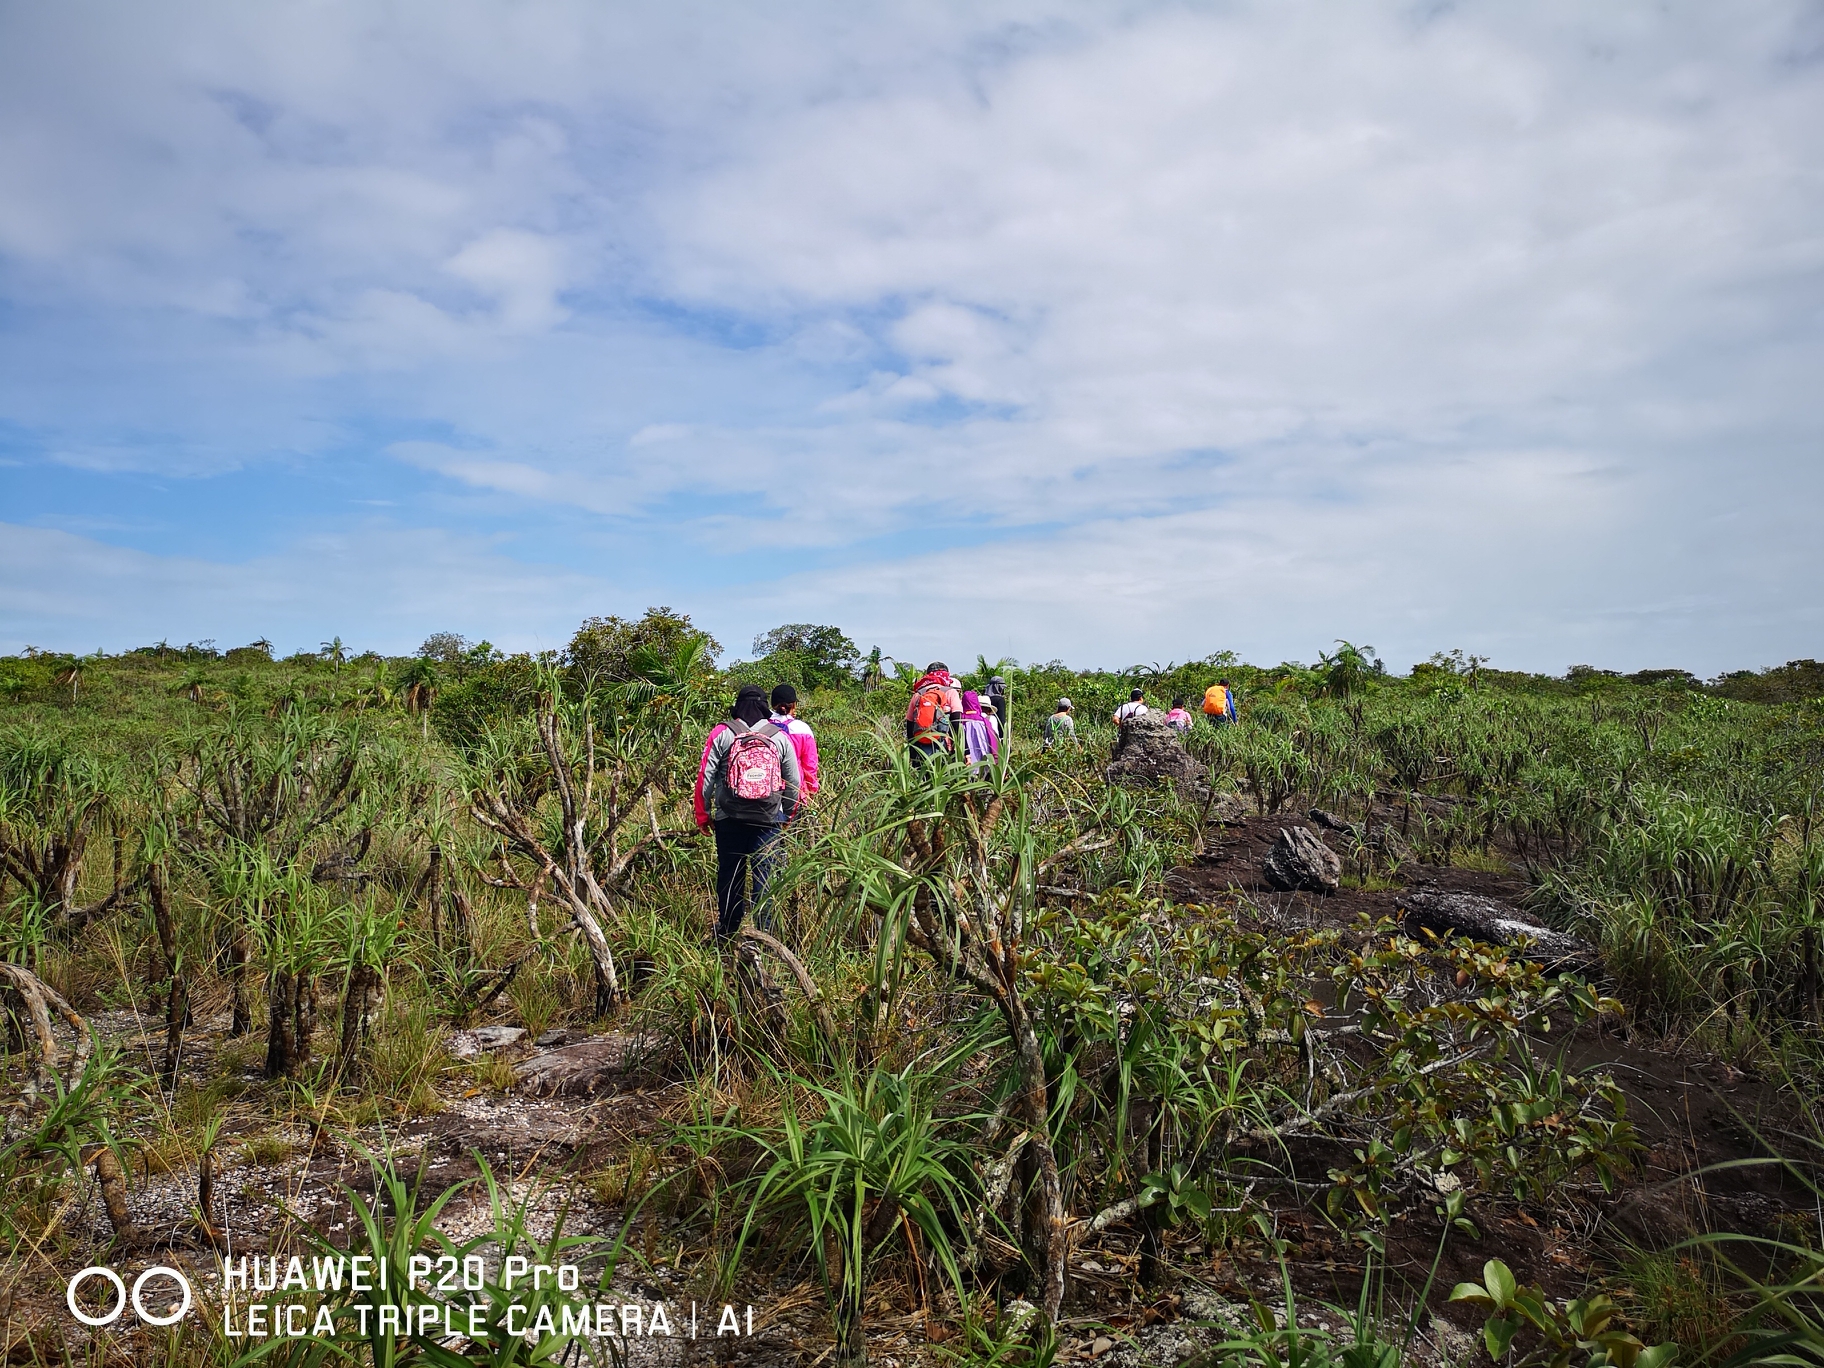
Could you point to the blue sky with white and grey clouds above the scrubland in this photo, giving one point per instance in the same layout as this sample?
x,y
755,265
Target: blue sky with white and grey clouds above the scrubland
x,y
1104,333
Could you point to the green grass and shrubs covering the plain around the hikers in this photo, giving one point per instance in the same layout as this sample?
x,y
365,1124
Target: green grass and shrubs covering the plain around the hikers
x,y
1672,825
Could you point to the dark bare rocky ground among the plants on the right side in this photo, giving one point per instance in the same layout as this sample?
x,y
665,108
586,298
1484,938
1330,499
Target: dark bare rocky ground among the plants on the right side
x,y
1694,1114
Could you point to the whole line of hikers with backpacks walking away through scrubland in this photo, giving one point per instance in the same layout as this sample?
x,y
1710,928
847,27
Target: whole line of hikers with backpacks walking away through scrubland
x,y
760,767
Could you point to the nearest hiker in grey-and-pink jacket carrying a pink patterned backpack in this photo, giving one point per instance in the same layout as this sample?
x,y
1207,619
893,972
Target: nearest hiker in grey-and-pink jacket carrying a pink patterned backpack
x,y
751,780
